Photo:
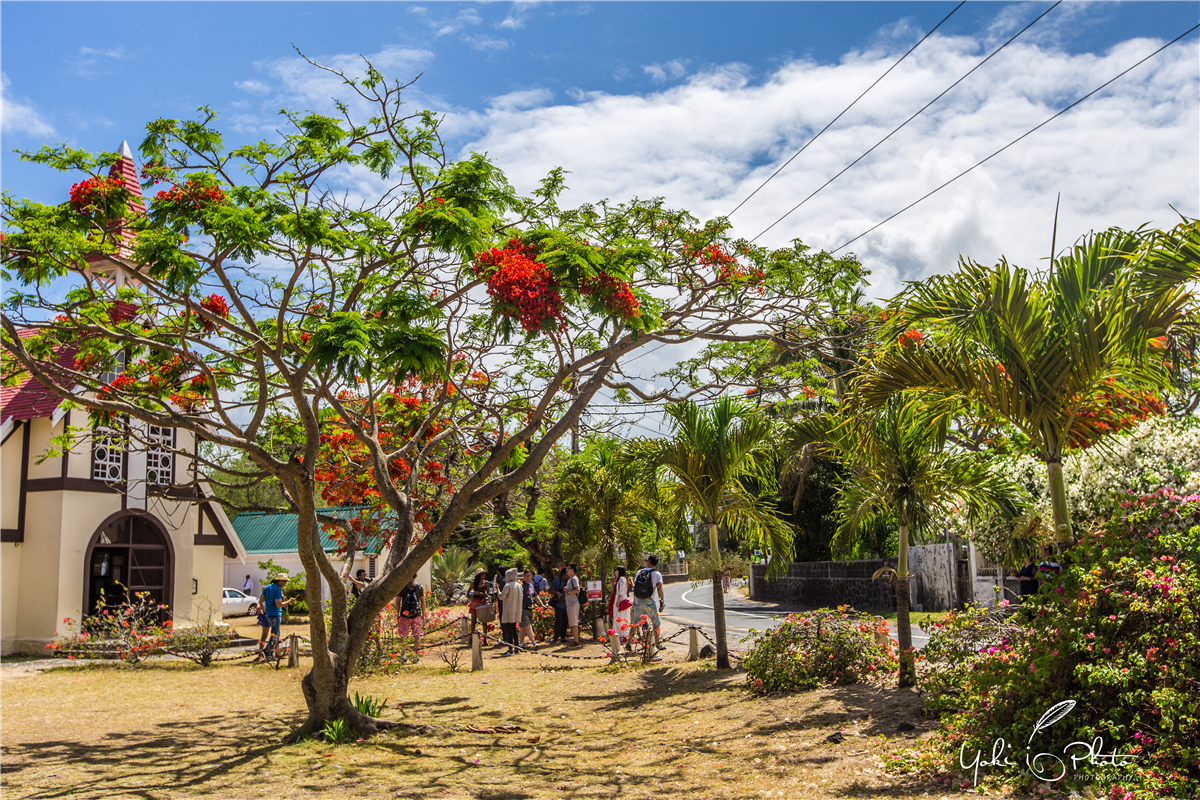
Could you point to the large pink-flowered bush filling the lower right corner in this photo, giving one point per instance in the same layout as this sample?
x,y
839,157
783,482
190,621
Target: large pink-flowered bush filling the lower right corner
x,y
1118,633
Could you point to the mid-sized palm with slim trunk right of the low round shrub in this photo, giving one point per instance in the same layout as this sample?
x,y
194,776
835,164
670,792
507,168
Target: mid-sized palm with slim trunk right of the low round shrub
x,y
899,467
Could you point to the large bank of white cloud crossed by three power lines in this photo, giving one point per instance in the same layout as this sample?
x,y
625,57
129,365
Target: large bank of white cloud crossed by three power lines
x,y
1120,159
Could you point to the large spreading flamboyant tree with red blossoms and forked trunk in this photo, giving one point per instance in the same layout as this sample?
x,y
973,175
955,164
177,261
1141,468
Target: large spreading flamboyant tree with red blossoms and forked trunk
x,y
290,299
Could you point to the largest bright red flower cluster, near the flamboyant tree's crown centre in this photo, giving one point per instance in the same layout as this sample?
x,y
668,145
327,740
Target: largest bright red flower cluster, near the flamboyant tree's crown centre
x,y
523,287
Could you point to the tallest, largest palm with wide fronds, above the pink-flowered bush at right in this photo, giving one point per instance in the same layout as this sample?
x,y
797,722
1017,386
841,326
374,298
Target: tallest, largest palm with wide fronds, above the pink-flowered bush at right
x,y
1063,358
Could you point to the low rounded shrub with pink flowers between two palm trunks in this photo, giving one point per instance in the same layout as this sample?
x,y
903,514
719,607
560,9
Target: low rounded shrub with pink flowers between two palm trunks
x,y
817,648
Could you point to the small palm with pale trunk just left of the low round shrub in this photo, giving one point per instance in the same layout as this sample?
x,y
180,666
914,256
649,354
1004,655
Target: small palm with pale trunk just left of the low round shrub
x,y
710,468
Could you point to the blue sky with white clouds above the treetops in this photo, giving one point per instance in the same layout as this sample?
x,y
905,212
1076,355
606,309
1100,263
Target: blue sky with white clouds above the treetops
x,y
694,103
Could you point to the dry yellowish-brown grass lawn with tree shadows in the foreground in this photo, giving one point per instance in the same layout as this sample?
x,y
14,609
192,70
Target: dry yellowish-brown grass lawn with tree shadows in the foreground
x,y
668,730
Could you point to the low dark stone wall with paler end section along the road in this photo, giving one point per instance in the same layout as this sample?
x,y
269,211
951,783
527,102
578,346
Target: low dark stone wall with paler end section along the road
x,y
829,585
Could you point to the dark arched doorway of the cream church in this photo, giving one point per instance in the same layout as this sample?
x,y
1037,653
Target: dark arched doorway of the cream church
x,y
130,554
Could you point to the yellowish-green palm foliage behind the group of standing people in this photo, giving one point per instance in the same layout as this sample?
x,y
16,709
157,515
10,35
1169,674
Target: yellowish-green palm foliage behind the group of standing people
x,y
609,496
